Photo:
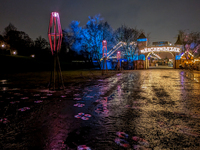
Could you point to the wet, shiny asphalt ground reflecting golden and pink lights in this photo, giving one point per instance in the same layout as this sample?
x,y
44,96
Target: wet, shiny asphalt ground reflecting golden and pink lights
x,y
156,109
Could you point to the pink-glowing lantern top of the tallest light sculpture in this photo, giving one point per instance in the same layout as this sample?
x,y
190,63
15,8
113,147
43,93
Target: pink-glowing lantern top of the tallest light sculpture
x,y
55,32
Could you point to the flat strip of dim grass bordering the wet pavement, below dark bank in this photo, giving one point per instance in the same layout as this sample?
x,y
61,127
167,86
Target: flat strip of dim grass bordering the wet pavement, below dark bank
x,y
38,79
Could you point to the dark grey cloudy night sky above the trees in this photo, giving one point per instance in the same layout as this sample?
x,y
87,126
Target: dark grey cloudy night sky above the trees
x,y
161,18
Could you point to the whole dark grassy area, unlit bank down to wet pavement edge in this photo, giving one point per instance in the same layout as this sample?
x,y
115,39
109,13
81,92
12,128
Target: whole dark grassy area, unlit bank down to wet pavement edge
x,y
29,72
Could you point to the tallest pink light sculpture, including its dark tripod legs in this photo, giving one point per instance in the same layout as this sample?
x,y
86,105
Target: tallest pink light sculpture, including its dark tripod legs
x,y
55,40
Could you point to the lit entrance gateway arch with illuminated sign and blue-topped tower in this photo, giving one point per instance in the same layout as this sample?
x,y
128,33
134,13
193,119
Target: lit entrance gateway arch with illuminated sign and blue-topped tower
x,y
146,51
